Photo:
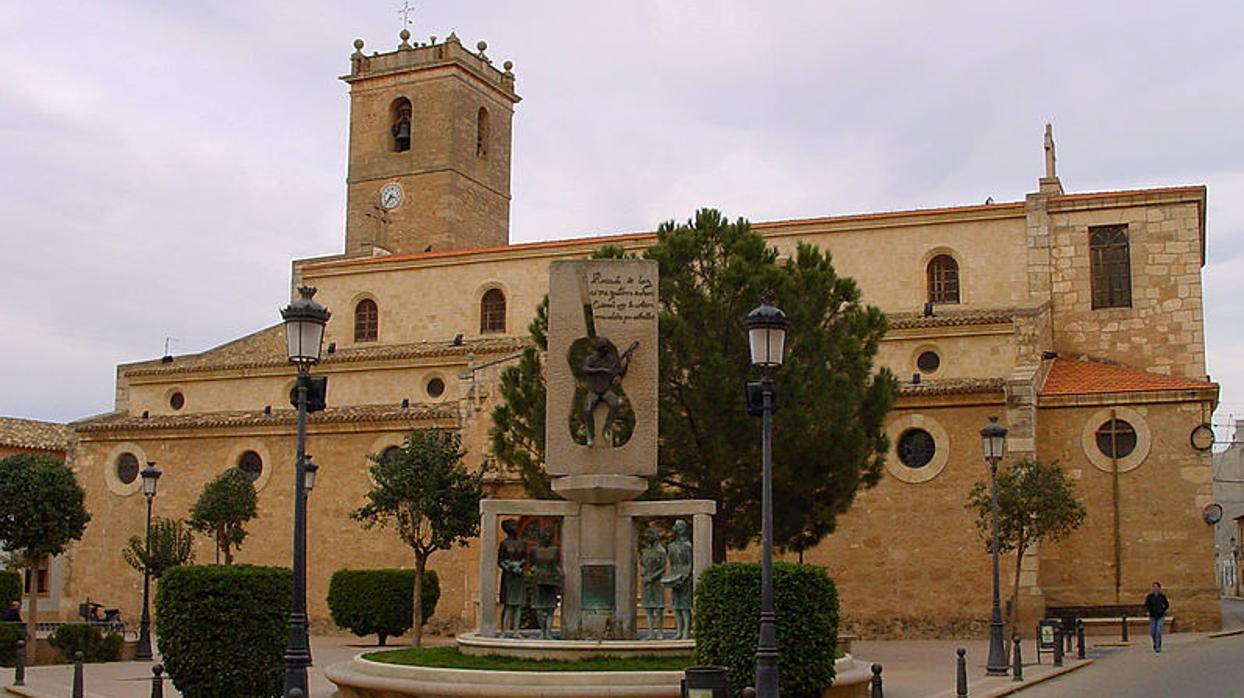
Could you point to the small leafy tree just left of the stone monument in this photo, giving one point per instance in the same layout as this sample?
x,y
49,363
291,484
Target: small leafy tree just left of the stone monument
x,y
429,497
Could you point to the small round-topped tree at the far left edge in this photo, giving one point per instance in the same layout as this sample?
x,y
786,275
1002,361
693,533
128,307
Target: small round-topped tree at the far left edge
x,y
42,512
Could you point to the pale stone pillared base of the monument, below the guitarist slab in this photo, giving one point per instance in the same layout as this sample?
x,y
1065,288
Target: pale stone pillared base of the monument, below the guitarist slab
x,y
599,546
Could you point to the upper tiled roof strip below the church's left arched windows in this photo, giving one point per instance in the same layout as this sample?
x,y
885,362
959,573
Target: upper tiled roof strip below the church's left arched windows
x,y
267,349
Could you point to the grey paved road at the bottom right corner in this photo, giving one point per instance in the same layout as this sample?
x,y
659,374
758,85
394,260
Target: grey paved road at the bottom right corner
x,y
1189,666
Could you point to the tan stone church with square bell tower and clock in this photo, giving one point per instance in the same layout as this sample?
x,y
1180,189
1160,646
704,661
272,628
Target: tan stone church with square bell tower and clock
x,y
1077,319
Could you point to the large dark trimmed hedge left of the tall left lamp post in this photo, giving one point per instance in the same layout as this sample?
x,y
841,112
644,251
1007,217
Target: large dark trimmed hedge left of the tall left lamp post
x,y
222,630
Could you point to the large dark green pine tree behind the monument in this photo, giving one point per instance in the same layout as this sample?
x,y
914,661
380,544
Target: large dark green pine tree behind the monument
x,y
829,440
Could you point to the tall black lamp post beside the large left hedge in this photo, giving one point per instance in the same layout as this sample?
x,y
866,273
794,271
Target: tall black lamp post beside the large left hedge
x,y
304,335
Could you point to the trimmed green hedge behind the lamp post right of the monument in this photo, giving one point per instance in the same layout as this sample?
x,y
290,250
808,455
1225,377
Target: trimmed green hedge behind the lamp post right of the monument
x,y
728,625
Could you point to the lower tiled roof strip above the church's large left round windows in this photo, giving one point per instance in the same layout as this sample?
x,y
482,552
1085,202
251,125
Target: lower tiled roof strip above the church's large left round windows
x,y
124,422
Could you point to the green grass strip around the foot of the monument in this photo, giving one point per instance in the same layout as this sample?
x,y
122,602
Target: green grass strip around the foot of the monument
x,y
451,659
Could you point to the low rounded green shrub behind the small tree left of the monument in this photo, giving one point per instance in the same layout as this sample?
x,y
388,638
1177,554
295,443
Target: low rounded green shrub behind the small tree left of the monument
x,y
380,602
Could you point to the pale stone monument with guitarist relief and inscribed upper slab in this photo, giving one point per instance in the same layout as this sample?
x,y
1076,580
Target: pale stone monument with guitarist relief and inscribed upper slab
x,y
600,449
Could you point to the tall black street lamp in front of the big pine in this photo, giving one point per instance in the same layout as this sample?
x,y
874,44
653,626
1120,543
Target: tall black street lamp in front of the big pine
x,y
767,339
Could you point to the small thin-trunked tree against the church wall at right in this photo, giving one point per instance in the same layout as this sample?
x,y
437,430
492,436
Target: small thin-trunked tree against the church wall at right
x,y
1036,503
